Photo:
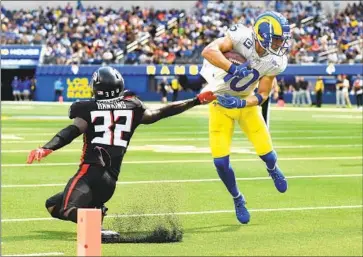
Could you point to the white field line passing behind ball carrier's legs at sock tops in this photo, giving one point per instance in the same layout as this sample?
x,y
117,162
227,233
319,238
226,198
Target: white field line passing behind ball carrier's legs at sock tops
x,y
191,161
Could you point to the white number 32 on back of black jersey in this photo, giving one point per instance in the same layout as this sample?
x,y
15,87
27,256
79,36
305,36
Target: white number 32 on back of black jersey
x,y
111,118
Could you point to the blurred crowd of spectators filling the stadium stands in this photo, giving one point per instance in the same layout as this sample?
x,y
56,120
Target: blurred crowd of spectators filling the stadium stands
x,y
95,35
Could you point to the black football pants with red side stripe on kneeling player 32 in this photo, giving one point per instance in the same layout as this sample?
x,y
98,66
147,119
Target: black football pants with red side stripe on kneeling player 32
x,y
90,187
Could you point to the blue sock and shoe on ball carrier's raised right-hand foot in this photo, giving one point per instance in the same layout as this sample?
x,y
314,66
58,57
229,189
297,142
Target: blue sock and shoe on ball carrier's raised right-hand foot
x,y
276,174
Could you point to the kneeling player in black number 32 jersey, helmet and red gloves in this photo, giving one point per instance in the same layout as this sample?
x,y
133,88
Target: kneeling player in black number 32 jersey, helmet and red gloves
x,y
107,123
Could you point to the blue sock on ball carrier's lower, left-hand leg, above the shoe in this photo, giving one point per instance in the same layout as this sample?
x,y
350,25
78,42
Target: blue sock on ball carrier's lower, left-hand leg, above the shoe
x,y
226,174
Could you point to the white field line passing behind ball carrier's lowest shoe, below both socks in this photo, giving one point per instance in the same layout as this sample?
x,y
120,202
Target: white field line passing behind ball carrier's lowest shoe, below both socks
x,y
199,212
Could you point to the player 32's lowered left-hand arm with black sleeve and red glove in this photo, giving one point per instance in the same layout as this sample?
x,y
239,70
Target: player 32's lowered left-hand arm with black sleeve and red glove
x,y
62,138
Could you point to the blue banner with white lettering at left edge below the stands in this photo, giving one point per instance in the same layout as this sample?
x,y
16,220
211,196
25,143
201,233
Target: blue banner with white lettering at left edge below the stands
x,y
14,52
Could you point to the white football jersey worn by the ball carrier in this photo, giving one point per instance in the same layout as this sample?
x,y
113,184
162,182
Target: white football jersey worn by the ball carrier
x,y
243,43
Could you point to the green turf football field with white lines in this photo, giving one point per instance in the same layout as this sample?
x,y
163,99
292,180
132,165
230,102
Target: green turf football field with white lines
x,y
168,169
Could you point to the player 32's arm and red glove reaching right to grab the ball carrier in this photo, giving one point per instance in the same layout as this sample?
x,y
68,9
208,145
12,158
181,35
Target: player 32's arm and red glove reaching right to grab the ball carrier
x,y
151,116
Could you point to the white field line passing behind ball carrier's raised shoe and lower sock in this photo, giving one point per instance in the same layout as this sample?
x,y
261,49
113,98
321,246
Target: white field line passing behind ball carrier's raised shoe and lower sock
x,y
191,180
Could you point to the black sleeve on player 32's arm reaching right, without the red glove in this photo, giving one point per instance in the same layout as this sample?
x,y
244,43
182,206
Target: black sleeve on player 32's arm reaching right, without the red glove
x,y
151,116
